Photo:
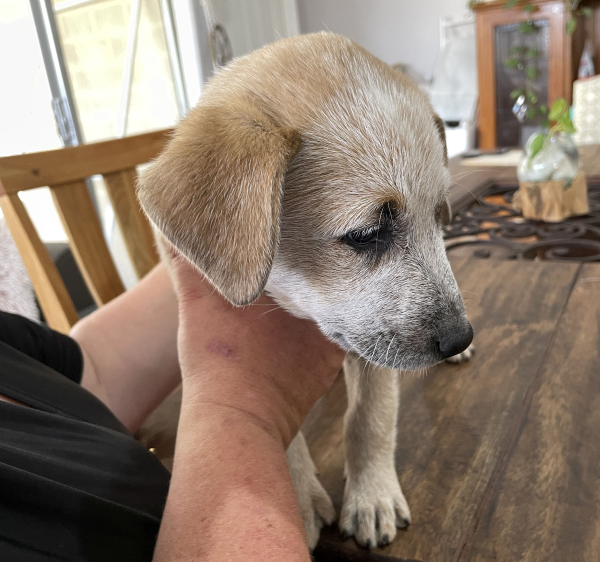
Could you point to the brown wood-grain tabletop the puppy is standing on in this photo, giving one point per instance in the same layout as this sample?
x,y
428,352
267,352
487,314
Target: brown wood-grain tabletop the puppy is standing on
x,y
497,457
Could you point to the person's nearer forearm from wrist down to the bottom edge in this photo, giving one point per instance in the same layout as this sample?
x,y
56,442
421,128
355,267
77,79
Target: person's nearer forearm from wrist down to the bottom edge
x,y
231,497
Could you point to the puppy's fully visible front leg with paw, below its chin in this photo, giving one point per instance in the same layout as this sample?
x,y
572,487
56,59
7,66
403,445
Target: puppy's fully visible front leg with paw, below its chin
x,y
374,505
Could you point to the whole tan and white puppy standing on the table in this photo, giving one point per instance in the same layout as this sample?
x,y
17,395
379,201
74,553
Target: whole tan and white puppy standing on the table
x,y
312,170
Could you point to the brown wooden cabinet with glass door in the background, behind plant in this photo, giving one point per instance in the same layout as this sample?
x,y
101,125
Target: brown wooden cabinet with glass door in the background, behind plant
x,y
559,55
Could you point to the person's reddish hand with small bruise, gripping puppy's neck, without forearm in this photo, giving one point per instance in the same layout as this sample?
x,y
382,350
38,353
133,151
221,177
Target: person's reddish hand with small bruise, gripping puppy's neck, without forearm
x,y
257,359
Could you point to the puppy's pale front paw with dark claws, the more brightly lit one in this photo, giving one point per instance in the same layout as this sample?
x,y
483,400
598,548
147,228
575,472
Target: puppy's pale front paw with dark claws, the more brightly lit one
x,y
374,506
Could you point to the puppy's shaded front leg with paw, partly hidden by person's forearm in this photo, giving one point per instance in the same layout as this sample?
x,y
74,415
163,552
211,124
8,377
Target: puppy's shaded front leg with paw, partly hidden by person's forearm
x,y
315,504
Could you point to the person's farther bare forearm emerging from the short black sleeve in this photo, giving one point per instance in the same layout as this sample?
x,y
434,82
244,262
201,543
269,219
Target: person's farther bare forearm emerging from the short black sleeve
x,y
130,348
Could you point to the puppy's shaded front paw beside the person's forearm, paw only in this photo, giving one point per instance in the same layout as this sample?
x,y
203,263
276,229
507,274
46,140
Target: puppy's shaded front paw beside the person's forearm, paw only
x,y
316,507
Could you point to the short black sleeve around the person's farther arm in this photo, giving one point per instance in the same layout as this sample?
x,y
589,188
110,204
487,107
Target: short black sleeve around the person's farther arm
x,y
56,350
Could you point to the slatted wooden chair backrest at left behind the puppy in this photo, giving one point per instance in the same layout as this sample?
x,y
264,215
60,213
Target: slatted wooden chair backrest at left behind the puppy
x,y
64,171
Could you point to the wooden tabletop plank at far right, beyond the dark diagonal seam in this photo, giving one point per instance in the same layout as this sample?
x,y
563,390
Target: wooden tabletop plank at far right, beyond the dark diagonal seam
x,y
545,503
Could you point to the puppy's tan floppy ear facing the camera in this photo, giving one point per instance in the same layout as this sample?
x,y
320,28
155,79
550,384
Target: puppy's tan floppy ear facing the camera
x,y
215,193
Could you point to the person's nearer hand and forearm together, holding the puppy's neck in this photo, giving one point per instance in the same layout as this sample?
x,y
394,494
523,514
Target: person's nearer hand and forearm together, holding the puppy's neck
x,y
250,376
